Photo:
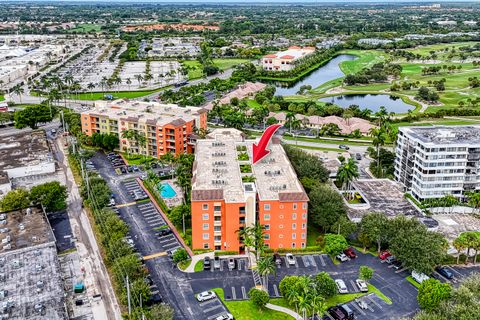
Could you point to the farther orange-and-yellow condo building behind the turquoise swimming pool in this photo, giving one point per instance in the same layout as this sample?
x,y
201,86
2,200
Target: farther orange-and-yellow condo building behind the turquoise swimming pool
x,y
166,127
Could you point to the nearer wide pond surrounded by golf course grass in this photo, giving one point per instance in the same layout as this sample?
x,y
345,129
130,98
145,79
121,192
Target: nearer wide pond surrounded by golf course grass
x,y
371,101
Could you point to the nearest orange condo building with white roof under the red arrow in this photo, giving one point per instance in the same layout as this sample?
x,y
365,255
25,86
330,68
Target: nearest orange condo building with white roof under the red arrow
x,y
223,202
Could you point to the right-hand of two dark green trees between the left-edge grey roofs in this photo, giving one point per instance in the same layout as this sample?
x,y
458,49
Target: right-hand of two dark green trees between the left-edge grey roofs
x,y
52,195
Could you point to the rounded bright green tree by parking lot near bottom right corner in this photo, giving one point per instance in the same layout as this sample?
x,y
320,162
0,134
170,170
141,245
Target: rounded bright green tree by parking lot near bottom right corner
x,y
431,293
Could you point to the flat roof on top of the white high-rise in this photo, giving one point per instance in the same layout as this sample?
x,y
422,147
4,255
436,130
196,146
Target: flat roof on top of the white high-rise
x,y
445,134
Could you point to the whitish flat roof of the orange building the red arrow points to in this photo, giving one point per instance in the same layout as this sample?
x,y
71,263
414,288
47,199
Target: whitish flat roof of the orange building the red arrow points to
x,y
218,171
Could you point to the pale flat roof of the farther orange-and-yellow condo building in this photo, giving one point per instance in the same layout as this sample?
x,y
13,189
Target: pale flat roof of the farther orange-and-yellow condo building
x,y
152,113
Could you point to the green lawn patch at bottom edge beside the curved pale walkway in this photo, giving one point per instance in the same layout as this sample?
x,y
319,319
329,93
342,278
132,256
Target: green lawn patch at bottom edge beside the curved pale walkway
x,y
245,310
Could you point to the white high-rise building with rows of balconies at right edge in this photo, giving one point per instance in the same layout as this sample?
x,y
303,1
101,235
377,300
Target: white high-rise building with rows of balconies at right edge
x,y
432,162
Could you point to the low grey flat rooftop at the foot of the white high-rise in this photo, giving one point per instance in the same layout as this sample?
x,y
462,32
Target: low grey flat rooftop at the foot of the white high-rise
x,y
384,196
